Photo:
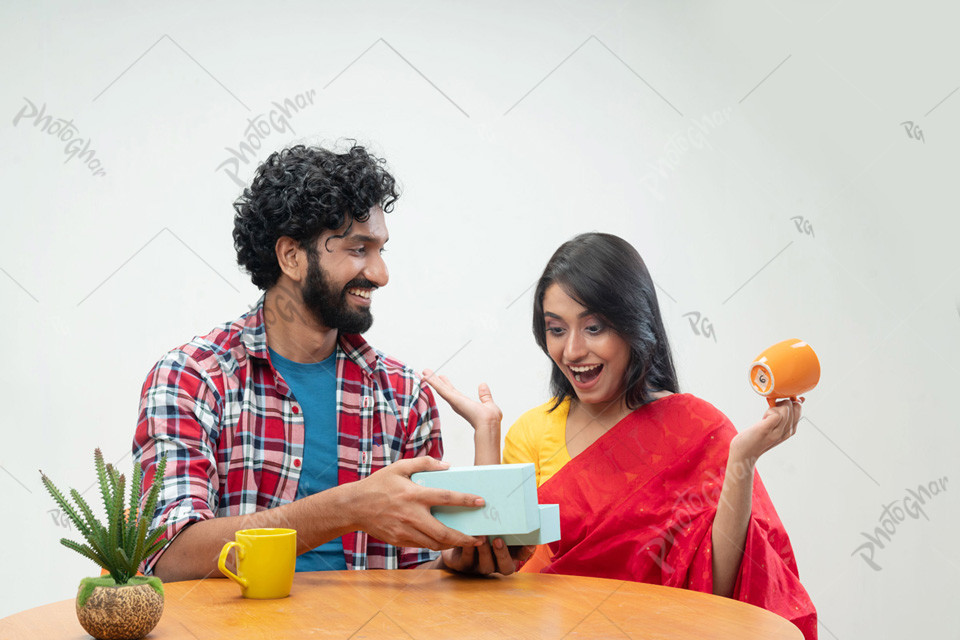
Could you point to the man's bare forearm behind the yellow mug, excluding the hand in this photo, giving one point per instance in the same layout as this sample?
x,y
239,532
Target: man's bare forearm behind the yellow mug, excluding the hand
x,y
193,554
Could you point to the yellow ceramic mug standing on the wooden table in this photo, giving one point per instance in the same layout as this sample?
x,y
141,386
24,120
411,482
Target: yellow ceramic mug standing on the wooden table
x,y
266,561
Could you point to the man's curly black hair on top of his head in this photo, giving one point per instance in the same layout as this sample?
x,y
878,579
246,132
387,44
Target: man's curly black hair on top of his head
x,y
299,192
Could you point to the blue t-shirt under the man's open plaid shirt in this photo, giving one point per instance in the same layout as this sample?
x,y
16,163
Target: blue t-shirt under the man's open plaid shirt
x,y
314,385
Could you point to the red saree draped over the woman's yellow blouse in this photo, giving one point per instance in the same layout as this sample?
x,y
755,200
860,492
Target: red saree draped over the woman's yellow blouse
x,y
639,504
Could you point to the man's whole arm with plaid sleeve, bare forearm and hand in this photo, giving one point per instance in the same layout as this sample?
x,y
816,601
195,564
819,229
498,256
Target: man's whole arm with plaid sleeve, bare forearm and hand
x,y
180,418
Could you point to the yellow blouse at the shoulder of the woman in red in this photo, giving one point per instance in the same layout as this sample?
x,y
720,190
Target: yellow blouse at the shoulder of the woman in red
x,y
539,436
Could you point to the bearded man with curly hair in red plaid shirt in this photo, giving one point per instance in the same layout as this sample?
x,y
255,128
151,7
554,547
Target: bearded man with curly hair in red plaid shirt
x,y
286,417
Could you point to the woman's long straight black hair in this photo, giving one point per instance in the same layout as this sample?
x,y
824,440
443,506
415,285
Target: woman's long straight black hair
x,y
606,275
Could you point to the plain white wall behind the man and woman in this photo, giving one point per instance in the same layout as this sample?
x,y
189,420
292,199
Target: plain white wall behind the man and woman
x,y
513,127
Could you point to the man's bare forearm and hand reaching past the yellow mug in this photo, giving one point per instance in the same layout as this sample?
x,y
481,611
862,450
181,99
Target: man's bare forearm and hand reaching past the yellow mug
x,y
386,504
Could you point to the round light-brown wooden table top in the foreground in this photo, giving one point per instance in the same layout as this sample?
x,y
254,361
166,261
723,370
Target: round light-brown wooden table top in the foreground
x,y
432,605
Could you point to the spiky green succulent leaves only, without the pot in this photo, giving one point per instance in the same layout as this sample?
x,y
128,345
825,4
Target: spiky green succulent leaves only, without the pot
x,y
126,539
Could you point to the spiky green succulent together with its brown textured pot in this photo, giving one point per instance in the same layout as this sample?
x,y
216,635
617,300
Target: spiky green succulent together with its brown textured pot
x,y
120,604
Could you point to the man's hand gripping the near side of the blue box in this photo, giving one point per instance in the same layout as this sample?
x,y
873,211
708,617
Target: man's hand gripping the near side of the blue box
x,y
392,508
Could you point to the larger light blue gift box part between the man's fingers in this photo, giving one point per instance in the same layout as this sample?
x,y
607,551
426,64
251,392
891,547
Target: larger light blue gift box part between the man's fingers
x,y
509,490
